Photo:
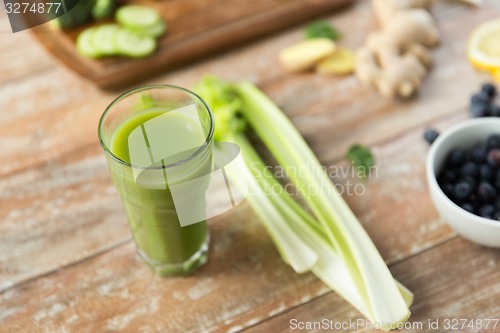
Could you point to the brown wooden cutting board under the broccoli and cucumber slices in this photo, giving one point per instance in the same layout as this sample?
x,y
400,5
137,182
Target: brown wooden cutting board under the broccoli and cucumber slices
x,y
197,28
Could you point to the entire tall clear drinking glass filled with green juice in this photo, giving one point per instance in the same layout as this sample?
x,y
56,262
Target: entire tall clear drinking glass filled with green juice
x,y
156,138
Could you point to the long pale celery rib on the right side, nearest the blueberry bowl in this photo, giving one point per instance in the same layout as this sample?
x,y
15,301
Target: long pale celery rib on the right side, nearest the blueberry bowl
x,y
366,267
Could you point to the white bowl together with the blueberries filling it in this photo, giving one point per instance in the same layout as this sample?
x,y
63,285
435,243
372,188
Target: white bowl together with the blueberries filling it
x,y
463,175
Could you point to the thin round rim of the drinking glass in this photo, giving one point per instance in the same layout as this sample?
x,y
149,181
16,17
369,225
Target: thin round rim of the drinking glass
x,y
127,93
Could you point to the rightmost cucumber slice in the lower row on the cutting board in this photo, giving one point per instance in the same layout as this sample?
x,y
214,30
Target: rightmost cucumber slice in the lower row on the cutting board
x,y
131,44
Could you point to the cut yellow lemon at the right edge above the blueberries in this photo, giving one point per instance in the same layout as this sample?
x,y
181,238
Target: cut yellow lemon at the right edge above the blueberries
x,y
484,46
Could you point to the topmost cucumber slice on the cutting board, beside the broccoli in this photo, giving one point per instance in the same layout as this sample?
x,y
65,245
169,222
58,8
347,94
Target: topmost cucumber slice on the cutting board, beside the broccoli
x,y
136,16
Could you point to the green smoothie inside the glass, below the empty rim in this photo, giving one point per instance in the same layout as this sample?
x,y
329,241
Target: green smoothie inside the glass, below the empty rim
x,y
153,141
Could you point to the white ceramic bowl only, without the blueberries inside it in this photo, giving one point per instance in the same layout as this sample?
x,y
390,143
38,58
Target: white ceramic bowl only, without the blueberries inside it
x,y
464,135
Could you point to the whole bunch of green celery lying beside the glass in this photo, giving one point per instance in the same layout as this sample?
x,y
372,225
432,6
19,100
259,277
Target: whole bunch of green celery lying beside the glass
x,y
332,243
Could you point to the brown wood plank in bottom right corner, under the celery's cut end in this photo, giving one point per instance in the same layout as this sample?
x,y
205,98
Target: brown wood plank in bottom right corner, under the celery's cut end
x,y
456,280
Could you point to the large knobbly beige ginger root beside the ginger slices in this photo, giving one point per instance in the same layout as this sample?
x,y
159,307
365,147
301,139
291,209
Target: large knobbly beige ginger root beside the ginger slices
x,y
395,59
